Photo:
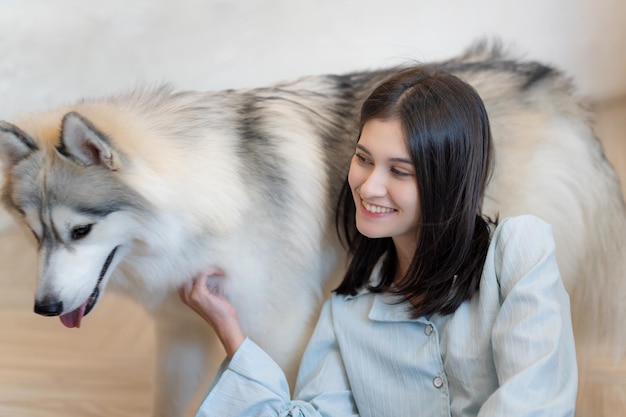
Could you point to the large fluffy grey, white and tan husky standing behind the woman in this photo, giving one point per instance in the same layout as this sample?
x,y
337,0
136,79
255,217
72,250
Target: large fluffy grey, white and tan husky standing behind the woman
x,y
143,190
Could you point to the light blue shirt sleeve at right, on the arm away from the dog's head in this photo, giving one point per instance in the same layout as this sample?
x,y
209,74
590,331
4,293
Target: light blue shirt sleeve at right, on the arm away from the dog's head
x,y
533,342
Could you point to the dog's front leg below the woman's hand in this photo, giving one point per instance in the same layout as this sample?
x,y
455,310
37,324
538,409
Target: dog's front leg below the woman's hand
x,y
188,354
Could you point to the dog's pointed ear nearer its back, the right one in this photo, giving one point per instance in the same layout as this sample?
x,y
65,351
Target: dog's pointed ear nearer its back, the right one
x,y
82,142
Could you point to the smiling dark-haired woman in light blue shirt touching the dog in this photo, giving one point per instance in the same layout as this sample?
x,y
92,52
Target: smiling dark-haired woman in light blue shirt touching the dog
x,y
441,311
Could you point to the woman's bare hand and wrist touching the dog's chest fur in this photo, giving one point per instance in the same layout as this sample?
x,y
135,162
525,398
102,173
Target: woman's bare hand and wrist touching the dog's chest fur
x,y
214,308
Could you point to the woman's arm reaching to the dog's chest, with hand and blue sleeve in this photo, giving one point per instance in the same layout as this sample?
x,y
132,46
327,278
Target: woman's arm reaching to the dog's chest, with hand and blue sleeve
x,y
252,384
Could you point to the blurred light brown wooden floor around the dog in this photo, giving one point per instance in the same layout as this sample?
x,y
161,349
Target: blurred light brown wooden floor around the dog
x,y
105,368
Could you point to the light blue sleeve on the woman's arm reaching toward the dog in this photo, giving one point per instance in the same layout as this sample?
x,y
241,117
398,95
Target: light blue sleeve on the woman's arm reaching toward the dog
x,y
252,384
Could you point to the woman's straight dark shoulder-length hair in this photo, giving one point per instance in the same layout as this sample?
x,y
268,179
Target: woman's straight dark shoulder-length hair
x,y
449,141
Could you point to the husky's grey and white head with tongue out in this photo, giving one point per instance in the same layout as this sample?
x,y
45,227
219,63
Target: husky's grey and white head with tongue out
x,y
68,191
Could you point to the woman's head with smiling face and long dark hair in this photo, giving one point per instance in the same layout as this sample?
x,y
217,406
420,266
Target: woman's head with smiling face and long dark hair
x,y
424,151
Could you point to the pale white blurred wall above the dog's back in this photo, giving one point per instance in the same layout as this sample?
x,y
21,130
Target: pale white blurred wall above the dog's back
x,y
55,51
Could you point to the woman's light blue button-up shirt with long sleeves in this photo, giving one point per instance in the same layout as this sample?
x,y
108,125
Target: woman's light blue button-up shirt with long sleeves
x,y
509,351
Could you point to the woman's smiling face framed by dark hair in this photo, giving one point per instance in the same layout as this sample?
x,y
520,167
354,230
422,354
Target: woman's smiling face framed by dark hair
x,y
383,184
